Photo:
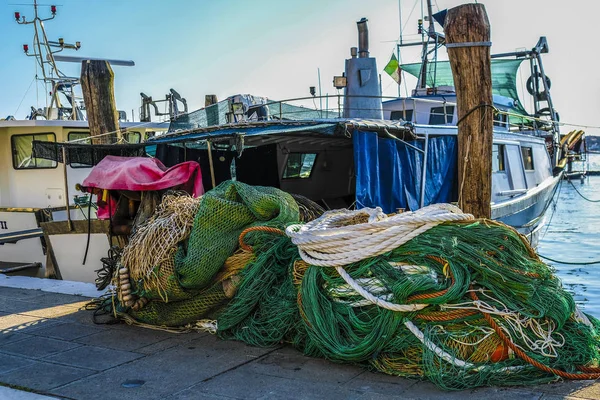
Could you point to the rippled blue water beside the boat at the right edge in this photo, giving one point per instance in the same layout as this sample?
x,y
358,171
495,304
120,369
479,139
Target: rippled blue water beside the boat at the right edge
x,y
573,235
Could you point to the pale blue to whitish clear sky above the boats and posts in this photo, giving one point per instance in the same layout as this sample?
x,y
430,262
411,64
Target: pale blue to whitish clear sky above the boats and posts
x,y
274,48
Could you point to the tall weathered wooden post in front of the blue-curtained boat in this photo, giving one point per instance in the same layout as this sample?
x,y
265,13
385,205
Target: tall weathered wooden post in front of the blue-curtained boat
x,y
467,32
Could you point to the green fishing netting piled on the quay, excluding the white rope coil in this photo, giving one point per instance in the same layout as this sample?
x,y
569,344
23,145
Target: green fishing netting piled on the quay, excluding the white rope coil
x,y
464,272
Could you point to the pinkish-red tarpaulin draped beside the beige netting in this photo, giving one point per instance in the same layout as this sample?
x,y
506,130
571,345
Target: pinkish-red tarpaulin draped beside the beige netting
x,y
144,174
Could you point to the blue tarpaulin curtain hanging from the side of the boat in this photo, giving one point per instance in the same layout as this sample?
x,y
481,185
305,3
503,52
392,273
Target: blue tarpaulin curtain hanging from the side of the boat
x,y
388,172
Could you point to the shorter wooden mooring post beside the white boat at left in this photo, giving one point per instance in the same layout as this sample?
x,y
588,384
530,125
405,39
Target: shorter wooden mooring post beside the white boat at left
x,y
98,87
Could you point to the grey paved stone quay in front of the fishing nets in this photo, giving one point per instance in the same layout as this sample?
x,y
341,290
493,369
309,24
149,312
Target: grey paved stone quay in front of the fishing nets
x,y
49,346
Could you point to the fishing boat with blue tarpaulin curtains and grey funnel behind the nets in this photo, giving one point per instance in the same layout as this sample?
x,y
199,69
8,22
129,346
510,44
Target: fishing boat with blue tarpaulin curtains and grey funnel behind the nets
x,y
369,151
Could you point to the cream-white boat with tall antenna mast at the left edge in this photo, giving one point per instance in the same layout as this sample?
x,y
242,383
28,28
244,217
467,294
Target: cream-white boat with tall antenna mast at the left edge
x,y
36,192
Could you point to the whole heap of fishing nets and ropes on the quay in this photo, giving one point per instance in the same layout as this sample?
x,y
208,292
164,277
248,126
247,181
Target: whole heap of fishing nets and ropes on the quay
x,y
432,293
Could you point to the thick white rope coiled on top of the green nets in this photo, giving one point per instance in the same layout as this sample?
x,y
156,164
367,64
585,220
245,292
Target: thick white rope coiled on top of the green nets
x,y
333,241
